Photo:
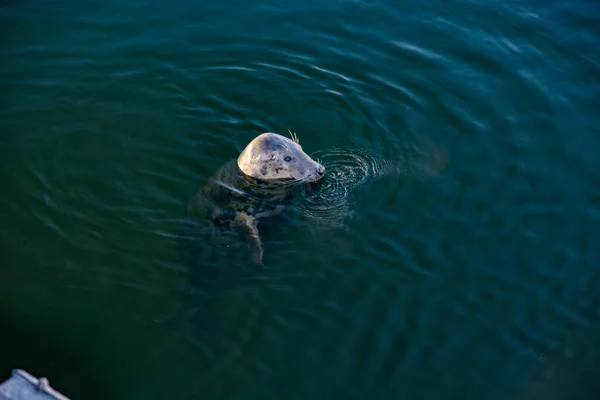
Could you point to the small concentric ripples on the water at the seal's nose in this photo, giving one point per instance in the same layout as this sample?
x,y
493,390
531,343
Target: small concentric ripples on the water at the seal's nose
x,y
327,202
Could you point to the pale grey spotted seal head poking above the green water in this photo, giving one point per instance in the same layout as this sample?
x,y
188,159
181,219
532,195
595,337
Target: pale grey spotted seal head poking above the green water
x,y
272,157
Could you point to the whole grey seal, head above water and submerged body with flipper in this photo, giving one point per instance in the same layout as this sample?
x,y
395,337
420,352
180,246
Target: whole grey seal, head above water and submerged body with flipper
x,y
256,186
